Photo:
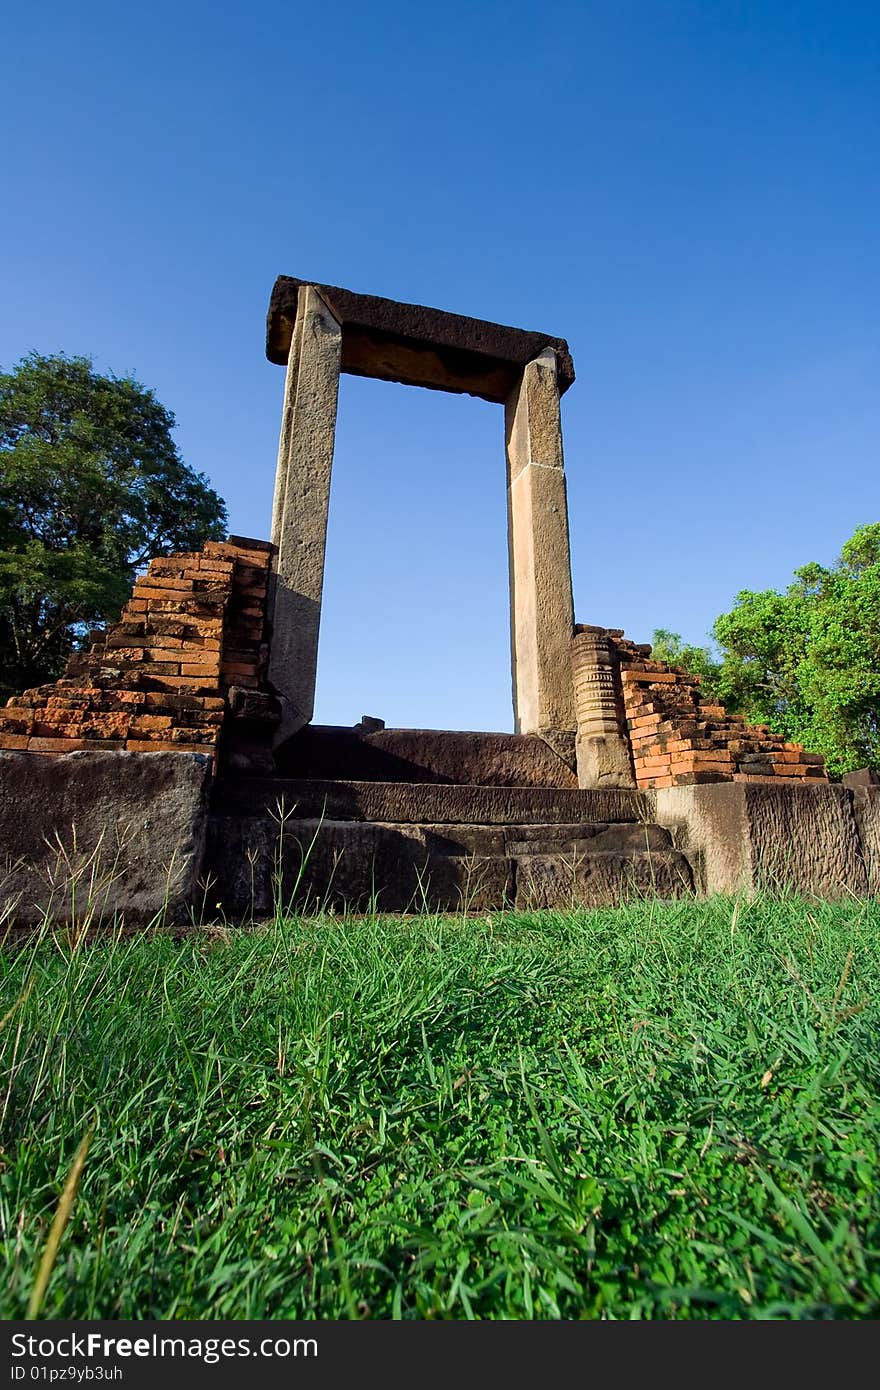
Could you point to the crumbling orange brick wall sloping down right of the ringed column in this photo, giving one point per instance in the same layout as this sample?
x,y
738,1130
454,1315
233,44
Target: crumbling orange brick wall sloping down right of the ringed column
x,y
679,739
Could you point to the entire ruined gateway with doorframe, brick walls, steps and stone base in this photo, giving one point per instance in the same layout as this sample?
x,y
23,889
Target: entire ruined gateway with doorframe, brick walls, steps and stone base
x,y
180,751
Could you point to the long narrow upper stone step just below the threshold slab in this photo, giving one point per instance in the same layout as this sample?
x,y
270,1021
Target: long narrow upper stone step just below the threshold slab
x,y
426,803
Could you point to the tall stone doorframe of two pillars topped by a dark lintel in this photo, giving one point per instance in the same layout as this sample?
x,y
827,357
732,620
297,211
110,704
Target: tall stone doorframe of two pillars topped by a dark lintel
x,y
319,332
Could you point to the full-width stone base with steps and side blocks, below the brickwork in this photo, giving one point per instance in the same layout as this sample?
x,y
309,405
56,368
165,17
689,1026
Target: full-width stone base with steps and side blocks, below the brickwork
x,y
159,839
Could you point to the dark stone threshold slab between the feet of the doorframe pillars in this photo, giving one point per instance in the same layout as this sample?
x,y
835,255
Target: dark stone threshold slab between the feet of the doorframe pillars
x,y
423,755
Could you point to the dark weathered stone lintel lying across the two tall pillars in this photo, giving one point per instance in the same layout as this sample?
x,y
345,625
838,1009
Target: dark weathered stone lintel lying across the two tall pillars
x,y
416,345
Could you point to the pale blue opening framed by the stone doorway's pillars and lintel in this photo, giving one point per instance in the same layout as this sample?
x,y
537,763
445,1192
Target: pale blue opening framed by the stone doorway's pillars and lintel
x,y
415,619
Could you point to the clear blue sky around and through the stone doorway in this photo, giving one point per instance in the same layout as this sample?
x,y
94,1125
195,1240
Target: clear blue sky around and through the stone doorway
x,y
689,193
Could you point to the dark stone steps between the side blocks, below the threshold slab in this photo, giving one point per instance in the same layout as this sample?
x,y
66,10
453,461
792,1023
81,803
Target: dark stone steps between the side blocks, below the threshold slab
x,y
401,847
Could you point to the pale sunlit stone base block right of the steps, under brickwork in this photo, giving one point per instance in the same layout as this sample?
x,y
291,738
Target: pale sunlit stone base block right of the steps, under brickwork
x,y
747,837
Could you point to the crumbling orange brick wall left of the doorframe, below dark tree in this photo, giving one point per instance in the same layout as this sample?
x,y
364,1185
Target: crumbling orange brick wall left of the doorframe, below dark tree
x,y
161,678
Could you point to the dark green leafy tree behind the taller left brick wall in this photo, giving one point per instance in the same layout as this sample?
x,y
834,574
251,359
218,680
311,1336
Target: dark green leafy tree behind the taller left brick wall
x,y
91,487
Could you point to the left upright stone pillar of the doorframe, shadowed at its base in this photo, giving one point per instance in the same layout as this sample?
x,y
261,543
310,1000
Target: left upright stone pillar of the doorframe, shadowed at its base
x,y
301,507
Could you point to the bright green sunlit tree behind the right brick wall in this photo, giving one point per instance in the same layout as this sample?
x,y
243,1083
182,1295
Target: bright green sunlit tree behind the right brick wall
x,y
808,661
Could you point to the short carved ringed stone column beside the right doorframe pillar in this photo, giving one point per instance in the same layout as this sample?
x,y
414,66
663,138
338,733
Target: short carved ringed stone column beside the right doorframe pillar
x,y
603,746
